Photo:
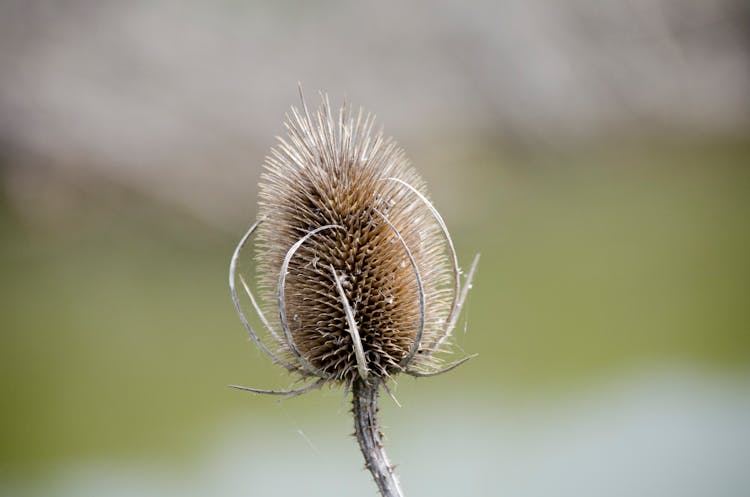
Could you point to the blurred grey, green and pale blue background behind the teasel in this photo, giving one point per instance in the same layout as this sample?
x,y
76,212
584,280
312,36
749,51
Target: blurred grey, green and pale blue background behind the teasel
x,y
596,153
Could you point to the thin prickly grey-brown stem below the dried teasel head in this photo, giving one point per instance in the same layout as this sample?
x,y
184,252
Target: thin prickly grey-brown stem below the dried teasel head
x,y
365,402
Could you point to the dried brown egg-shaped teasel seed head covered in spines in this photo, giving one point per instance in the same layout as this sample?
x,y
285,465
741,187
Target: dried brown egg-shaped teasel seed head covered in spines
x,y
351,257
